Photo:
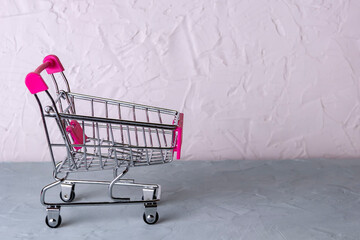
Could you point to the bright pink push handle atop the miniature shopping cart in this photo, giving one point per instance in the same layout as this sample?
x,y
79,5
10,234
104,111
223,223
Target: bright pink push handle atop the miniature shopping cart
x,y
34,82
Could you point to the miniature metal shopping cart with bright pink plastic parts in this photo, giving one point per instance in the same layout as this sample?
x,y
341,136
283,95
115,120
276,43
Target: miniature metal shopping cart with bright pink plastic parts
x,y
101,134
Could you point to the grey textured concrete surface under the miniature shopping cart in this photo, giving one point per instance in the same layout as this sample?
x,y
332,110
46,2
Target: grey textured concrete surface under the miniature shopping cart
x,y
294,199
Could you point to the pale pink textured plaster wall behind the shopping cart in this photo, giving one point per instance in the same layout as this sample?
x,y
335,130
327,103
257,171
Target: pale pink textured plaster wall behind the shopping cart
x,y
256,79
